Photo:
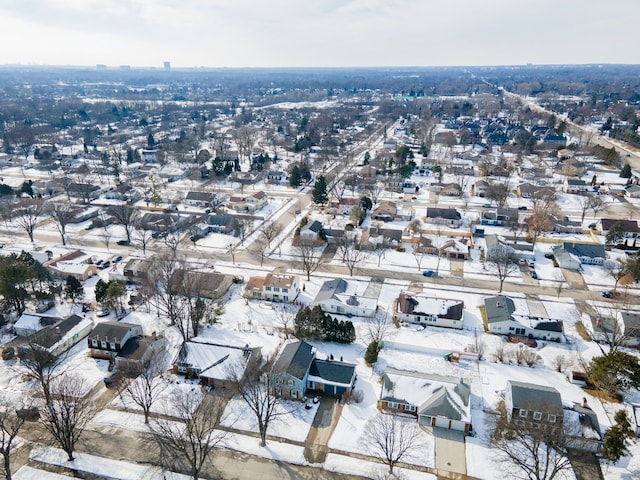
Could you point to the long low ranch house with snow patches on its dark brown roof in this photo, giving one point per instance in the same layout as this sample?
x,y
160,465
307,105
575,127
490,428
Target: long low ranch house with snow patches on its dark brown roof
x,y
423,309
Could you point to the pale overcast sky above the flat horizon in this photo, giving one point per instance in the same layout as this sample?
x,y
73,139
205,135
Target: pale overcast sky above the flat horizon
x,y
289,33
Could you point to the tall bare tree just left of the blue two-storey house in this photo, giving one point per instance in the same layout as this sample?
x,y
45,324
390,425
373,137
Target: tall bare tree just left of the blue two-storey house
x,y
254,385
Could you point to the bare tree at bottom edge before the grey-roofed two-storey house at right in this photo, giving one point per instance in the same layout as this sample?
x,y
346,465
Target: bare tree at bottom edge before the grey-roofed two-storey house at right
x,y
530,453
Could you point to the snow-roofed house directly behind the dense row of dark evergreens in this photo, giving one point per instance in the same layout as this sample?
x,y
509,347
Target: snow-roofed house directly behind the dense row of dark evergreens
x,y
340,297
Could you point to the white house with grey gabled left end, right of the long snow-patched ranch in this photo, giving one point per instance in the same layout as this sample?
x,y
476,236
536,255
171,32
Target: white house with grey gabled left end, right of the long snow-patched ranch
x,y
528,318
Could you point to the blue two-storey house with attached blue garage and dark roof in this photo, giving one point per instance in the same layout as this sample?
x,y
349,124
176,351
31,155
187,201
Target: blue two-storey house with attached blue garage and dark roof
x,y
298,372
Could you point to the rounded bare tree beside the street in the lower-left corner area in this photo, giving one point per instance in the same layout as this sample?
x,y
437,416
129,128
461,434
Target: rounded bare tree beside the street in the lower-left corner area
x,y
67,415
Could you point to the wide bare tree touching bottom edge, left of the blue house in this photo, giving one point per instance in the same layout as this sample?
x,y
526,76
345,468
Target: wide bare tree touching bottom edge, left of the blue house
x,y
189,442
